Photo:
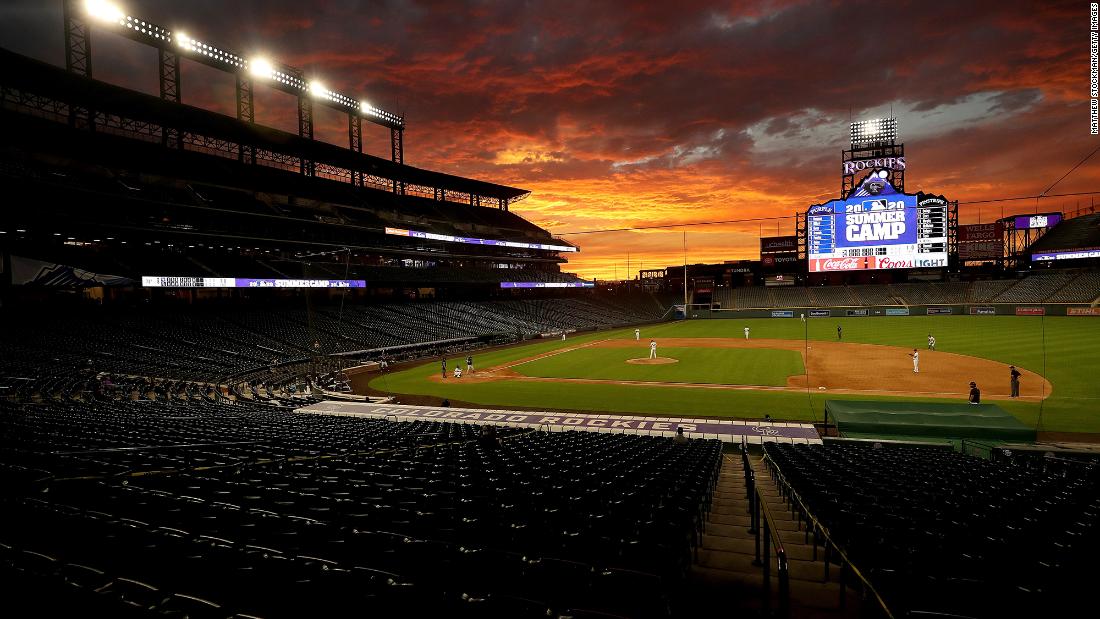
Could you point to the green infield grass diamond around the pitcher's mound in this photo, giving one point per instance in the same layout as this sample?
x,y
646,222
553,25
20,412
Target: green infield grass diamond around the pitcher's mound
x,y
718,367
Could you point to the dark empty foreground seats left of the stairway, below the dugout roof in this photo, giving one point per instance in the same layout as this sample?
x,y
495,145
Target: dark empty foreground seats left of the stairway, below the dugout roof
x,y
254,512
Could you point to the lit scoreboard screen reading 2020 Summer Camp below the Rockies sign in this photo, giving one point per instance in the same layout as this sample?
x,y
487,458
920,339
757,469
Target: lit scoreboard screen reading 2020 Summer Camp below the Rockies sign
x,y
877,229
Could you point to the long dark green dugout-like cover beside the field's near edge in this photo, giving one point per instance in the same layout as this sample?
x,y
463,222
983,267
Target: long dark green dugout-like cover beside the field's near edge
x,y
927,419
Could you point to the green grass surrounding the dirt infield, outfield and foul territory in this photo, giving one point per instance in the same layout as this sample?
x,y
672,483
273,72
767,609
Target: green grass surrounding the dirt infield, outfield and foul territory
x,y
1064,349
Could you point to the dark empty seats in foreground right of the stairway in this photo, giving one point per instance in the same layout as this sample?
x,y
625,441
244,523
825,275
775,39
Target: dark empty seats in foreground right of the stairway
x,y
941,533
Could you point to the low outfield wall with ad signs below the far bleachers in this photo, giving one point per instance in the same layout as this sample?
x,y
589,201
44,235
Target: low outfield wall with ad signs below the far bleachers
x,y
966,309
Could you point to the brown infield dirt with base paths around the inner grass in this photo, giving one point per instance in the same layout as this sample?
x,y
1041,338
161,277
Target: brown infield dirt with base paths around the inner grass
x,y
841,368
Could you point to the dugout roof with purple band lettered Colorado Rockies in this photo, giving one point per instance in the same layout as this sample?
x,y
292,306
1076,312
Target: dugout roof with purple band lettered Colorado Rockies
x,y
731,432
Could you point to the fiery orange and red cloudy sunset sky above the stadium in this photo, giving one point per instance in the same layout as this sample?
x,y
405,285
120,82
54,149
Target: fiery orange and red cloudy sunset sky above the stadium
x,y
619,115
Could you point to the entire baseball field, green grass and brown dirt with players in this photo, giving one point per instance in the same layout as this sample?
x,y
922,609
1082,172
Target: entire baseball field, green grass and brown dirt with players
x,y
788,369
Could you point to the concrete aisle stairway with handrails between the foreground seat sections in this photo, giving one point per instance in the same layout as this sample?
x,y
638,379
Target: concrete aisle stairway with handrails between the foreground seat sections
x,y
724,571
